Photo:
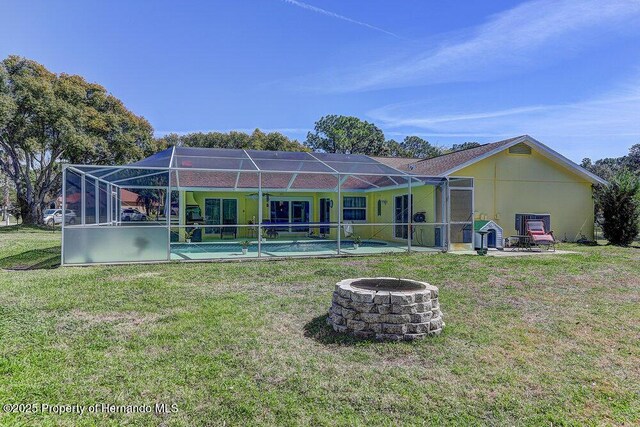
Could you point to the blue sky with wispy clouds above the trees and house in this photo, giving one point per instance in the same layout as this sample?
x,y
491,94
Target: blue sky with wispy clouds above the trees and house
x,y
565,72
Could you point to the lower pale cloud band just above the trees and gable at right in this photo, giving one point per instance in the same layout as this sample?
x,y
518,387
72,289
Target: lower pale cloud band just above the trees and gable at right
x,y
600,126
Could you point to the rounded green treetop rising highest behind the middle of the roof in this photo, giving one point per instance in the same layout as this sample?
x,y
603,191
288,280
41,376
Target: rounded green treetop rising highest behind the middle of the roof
x,y
347,135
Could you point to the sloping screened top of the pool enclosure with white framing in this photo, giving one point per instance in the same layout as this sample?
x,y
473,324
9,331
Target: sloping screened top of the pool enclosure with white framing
x,y
237,170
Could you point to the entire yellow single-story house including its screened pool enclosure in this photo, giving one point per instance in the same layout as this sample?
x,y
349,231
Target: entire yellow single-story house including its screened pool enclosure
x,y
235,204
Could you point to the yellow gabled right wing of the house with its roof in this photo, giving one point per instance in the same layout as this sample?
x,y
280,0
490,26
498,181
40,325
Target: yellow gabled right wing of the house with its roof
x,y
519,175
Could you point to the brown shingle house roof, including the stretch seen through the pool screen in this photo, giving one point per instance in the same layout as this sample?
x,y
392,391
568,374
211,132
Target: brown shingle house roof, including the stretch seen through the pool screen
x,y
238,169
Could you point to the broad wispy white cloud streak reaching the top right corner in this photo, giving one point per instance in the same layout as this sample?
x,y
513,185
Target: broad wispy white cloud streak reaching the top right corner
x,y
527,35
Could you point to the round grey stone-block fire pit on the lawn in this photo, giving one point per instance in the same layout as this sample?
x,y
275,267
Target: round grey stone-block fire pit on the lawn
x,y
386,308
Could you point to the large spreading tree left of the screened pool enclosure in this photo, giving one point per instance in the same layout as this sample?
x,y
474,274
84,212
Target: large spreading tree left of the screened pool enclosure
x,y
47,118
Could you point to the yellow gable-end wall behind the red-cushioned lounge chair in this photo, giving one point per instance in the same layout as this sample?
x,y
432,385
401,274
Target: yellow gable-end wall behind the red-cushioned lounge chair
x,y
506,184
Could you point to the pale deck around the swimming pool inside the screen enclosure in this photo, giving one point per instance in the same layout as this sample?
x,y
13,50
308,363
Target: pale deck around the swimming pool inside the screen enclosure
x,y
198,251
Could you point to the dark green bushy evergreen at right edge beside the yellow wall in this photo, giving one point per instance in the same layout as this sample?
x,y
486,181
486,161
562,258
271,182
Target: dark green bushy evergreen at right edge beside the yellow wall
x,y
620,203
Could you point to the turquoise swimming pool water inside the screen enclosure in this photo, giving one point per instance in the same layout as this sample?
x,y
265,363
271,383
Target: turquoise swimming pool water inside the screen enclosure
x,y
270,246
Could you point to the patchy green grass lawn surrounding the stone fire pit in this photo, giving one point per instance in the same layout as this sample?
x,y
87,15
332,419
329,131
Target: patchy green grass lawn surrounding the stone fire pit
x,y
547,340
